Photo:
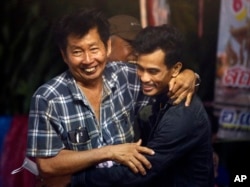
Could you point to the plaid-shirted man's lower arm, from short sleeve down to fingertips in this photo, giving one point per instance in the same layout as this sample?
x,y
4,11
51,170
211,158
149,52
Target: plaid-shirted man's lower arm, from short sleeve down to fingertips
x,y
48,141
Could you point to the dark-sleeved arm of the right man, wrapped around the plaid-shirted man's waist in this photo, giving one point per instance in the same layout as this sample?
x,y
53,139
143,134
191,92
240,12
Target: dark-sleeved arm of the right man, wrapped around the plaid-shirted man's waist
x,y
169,143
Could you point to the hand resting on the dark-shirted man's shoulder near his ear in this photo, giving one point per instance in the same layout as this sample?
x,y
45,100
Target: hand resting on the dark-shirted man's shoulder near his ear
x,y
182,87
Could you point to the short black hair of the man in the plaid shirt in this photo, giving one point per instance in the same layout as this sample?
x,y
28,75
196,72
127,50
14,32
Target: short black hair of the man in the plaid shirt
x,y
79,23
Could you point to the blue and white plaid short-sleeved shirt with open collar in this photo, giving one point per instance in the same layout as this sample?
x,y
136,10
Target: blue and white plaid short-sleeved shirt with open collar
x,y
61,117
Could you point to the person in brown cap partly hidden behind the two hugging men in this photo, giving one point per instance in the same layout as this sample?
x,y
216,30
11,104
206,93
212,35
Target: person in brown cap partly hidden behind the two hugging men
x,y
123,30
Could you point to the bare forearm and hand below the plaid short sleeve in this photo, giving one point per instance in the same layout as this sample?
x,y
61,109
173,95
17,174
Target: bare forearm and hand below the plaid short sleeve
x,y
68,162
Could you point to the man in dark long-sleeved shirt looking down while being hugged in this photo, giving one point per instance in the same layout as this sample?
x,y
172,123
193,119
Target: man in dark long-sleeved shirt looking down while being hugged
x,y
179,135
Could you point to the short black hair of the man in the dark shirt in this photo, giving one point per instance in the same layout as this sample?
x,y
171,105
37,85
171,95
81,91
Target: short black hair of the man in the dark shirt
x,y
164,37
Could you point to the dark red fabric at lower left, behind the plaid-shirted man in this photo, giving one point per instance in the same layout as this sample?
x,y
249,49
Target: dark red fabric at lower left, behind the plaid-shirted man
x,y
14,149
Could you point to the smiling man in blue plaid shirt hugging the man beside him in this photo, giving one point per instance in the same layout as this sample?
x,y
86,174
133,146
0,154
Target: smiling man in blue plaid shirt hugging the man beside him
x,y
85,116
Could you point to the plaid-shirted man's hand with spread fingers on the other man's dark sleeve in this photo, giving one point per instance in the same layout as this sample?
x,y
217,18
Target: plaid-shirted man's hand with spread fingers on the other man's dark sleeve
x,y
130,154
